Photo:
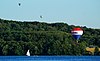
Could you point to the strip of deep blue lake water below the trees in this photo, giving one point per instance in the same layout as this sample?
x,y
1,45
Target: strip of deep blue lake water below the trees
x,y
49,58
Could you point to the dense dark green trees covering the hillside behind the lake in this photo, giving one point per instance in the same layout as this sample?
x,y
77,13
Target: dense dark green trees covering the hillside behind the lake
x,y
44,38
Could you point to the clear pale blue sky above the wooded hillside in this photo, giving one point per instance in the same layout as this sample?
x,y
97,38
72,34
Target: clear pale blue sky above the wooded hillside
x,y
73,12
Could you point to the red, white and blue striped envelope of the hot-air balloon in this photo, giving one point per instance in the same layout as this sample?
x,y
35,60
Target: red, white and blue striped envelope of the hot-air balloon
x,y
77,32
